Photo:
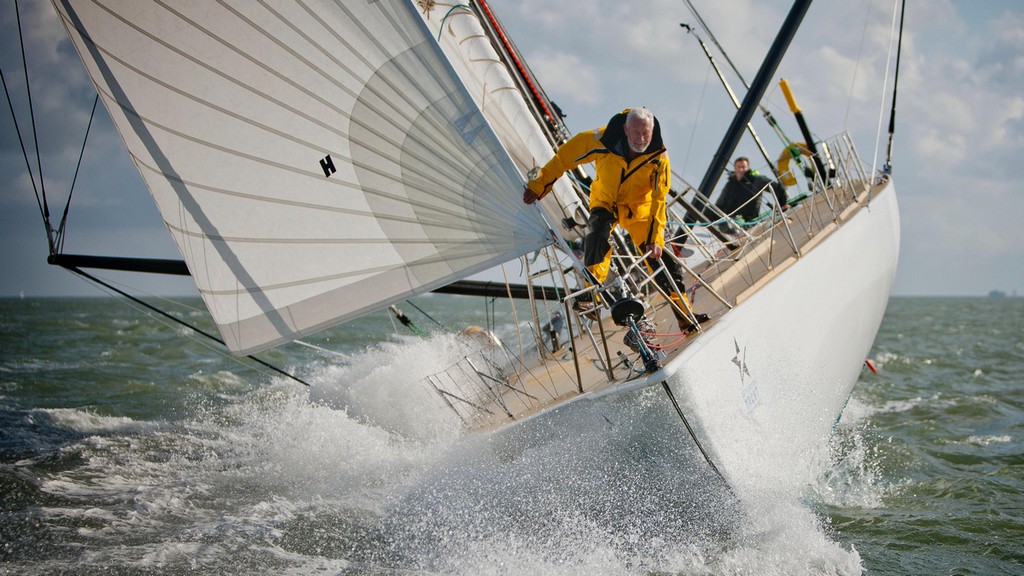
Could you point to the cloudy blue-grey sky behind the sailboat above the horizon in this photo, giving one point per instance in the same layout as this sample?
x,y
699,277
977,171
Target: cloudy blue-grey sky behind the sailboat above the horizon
x,y
959,140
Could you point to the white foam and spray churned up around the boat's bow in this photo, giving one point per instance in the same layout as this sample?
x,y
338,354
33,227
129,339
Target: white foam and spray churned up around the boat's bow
x,y
368,471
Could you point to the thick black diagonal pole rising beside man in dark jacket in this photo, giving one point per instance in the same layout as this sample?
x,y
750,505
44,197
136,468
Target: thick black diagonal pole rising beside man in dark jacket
x,y
754,96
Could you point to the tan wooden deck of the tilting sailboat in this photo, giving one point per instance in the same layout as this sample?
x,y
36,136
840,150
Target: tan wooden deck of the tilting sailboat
x,y
494,399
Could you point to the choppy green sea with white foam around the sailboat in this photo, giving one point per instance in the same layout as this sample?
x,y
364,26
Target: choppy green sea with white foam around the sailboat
x,y
132,445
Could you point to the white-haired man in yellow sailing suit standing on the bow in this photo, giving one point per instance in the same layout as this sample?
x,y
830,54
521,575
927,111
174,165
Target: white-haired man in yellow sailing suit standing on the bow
x,y
630,188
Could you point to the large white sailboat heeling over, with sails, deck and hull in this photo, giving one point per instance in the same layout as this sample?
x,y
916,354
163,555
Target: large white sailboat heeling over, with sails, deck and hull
x,y
318,161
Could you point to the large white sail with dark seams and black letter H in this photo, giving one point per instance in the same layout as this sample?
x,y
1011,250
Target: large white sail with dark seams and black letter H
x,y
314,160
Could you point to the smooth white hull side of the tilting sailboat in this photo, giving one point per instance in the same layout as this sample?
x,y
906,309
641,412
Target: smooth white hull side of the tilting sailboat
x,y
764,387
